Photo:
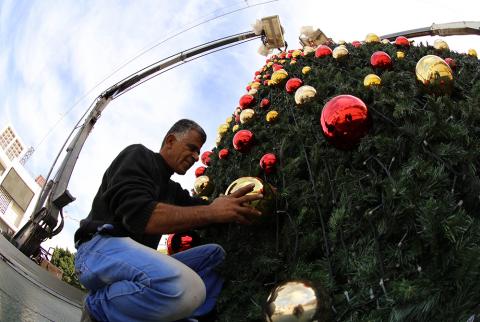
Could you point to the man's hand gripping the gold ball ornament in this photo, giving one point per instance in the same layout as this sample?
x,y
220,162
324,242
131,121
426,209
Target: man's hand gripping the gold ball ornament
x,y
235,207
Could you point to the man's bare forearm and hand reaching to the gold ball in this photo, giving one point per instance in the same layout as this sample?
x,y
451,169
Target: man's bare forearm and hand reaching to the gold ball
x,y
168,218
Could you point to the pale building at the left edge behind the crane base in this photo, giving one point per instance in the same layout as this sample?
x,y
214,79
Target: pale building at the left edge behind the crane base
x,y
18,190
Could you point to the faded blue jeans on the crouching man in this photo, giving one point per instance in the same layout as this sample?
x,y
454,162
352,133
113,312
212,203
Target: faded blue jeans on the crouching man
x,y
128,281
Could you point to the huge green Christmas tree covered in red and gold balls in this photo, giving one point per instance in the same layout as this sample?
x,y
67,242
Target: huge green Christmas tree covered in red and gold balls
x,y
372,152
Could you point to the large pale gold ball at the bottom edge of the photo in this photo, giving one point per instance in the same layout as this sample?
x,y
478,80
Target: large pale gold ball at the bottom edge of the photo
x,y
293,301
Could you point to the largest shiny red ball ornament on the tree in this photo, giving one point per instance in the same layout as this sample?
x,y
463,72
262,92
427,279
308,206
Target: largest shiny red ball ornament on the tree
x,y
345,121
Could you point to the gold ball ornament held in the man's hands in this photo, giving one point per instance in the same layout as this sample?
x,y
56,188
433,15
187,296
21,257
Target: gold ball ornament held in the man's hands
x,y
264,205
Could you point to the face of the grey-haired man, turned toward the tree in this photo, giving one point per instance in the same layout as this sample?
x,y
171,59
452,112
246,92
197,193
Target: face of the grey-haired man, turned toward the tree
x,y
185,150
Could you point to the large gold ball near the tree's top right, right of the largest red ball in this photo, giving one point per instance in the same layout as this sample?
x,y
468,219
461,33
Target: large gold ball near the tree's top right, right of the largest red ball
x,y
435,75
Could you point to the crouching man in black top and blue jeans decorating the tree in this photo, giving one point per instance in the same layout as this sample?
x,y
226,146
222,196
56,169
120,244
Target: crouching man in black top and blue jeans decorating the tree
x,y
137,202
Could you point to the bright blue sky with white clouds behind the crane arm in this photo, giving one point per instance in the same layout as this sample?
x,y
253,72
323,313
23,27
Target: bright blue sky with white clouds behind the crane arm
x,y
56,57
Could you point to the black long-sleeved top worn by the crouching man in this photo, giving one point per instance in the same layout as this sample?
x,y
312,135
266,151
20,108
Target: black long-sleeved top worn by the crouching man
x,y
131,187
